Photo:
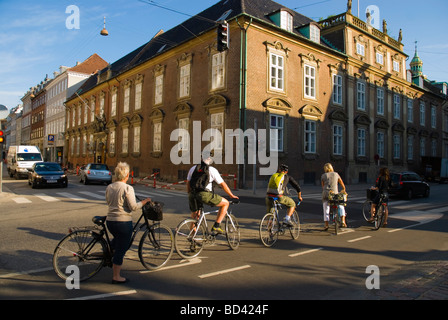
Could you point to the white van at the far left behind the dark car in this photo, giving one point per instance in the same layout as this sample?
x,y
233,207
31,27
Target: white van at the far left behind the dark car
x,y
20,159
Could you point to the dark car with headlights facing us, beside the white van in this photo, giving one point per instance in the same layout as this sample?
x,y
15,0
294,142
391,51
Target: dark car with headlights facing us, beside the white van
x,y
47,174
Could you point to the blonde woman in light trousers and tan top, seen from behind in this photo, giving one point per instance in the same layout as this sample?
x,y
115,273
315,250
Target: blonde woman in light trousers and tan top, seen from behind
x,y
330,181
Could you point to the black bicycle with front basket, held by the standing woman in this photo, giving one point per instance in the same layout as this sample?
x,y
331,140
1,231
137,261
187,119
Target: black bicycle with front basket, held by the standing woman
x,y
89,248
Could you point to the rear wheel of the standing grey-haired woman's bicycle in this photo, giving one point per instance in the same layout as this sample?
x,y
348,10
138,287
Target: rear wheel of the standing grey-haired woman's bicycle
x,y
80,249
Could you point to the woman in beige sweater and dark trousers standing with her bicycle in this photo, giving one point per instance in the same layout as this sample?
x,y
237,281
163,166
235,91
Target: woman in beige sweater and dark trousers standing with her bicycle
x,y
120,198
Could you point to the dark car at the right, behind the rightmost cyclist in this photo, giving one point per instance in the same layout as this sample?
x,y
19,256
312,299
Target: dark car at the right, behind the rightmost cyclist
x,y
408,184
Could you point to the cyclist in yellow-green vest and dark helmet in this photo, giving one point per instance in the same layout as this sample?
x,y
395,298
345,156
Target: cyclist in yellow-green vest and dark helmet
x,y
276,188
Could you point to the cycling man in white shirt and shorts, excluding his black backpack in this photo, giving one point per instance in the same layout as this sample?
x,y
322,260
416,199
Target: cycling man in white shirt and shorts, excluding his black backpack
x,y
208,196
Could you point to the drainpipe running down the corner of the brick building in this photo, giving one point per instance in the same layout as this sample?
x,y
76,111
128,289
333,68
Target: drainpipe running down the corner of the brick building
x,y
243,92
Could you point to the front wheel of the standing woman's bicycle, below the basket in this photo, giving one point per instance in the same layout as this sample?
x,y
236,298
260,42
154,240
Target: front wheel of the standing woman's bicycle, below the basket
x,y
156,246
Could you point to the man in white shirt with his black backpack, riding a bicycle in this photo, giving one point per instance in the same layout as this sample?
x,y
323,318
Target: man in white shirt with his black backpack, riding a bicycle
x,y
200,180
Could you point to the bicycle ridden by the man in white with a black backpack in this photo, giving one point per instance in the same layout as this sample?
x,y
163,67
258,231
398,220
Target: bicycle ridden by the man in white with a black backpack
x,y
192,234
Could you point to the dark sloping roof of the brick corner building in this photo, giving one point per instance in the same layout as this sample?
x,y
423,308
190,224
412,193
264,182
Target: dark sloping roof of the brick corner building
x,y
194,27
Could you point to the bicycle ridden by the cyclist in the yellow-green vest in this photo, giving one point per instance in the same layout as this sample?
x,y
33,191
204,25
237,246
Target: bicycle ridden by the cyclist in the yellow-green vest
x,y
271,226
